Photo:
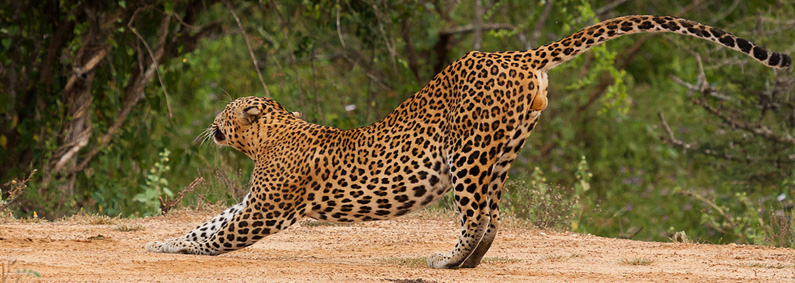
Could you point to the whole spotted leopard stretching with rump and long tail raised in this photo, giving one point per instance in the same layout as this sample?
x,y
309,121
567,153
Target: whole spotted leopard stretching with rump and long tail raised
x,y
462,131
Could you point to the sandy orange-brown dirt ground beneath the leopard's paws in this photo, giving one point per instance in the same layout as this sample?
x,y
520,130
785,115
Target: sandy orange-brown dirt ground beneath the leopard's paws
x,y
386,251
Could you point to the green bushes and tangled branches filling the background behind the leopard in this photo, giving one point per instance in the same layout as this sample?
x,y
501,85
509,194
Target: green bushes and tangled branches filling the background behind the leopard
x,y
644,136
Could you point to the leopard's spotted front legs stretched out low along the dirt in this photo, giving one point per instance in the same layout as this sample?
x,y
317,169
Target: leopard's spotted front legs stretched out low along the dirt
x,y
237,227
